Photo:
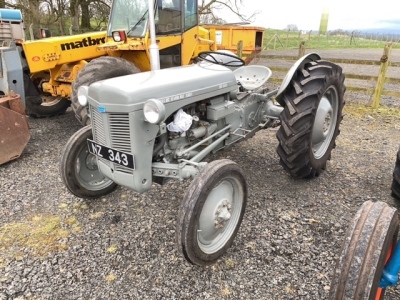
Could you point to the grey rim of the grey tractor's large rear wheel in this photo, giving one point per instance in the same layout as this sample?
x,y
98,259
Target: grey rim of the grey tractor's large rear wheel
x,y
325,122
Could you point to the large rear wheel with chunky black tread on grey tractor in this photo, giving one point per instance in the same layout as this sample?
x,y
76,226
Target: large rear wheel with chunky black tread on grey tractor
x,y
313,104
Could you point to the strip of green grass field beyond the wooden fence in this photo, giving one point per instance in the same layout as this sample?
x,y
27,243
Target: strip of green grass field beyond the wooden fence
x,y
282,39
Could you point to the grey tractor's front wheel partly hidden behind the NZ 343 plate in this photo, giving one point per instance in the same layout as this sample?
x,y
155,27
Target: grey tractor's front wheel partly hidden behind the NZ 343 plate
x,y
78,168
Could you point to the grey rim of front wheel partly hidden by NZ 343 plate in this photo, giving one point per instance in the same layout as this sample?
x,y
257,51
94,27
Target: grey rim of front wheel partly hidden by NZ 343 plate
x,y
87,171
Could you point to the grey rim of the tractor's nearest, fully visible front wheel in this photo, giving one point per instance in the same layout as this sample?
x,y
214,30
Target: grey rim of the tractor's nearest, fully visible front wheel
x,y
220,215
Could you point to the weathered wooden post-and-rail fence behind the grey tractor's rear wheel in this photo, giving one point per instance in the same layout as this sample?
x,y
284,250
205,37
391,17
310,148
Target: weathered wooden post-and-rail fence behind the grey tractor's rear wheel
x,y
376,86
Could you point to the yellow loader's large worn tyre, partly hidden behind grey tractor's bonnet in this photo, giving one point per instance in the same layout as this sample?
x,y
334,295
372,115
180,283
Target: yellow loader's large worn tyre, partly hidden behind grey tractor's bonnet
x,y
101,68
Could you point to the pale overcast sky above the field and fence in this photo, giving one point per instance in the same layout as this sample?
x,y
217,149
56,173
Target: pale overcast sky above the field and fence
x,y
306,14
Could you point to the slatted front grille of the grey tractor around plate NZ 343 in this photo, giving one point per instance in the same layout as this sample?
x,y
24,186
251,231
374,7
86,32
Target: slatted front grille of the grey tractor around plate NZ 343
x,y
119,133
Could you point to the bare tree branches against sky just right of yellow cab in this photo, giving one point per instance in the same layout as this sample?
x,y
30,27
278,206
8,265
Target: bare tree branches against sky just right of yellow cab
x,y
209,10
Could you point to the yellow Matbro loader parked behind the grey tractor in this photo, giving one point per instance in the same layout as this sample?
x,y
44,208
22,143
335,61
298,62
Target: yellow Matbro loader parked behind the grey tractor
x,y
46,73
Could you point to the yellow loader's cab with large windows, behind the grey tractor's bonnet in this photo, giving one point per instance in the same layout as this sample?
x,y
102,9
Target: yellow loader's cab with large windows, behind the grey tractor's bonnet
x,y
176,28
